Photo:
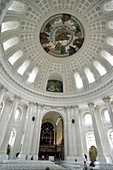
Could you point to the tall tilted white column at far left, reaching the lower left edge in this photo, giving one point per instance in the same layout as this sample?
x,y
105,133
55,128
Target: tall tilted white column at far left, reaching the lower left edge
x,y
4,144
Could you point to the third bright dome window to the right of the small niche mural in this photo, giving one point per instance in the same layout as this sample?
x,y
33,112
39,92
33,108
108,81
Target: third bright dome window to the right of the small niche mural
x,y
100,68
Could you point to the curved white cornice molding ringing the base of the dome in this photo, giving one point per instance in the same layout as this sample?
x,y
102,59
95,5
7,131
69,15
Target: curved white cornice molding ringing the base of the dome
x,y
87,95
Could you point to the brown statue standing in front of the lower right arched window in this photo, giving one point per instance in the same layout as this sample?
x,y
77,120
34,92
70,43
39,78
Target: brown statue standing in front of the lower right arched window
x,y
93,153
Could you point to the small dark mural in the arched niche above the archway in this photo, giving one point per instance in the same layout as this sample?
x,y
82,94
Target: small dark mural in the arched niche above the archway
x,y
54,86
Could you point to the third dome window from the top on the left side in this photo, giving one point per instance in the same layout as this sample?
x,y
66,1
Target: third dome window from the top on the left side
x,y
11,42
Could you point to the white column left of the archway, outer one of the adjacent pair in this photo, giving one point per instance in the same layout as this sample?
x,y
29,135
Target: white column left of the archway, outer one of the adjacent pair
x,y
27,138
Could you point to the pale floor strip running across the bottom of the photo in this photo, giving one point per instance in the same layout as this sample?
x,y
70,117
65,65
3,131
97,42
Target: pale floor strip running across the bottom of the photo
x,y
41,165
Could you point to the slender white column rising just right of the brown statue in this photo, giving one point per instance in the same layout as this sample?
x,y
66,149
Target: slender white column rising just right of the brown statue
x,y
100,156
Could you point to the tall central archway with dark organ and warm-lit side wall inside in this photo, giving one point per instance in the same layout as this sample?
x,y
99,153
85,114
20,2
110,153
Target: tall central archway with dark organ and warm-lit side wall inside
x,y
52,137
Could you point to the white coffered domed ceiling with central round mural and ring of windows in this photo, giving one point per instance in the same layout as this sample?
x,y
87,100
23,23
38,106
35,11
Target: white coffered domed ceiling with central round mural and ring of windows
x,y
58,51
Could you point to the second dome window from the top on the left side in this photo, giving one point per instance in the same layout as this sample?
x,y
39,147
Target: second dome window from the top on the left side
x,y
6,26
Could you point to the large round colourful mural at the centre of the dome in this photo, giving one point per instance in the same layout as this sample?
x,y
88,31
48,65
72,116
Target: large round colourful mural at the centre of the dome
x,y
62,36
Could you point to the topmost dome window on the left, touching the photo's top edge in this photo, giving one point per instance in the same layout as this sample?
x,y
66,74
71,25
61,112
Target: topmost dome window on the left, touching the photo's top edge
x,y
17,6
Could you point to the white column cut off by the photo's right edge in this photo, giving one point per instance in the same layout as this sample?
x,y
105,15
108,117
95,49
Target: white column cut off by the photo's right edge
x,y
109,108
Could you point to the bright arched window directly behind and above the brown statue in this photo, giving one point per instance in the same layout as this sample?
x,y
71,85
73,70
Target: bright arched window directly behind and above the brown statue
x,y
90,140
